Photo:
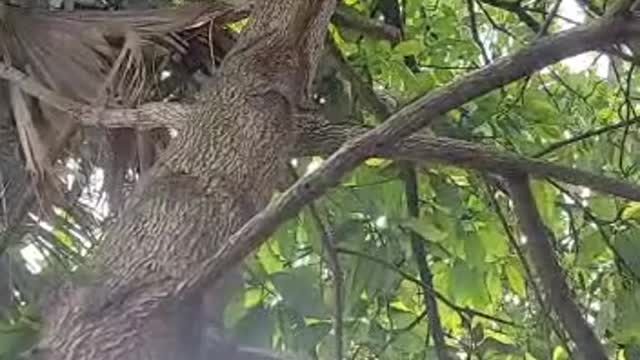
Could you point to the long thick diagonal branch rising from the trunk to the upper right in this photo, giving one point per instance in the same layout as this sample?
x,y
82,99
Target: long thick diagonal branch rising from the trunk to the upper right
x,y
406,121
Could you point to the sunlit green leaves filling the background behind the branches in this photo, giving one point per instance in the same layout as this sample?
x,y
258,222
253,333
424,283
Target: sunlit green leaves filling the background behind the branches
x,y
490,304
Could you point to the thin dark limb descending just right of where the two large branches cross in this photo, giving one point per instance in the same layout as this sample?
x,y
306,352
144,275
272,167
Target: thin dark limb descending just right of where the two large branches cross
x,y
420,256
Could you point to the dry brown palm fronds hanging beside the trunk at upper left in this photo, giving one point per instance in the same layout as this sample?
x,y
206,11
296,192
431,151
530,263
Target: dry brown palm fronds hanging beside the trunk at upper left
x,y
100,58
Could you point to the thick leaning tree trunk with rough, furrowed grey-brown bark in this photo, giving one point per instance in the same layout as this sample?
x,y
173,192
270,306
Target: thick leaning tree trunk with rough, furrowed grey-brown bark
x,y
219,171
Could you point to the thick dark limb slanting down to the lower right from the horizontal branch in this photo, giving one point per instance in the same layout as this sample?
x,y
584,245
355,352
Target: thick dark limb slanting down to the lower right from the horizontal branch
x,y
550,272
